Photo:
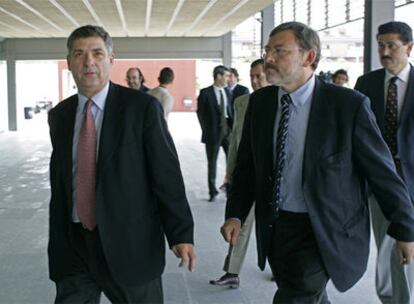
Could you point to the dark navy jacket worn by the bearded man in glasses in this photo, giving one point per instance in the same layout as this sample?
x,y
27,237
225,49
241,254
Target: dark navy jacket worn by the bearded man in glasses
x,y
343,149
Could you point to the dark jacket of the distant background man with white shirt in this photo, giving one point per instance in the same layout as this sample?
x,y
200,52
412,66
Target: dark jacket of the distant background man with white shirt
x,y
208,113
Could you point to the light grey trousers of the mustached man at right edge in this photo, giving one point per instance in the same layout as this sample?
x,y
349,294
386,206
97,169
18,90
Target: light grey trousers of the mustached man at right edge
x,y
394,282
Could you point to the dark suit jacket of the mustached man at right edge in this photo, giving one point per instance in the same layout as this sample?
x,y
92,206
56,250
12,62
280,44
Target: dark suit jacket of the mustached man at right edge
x,y
372,85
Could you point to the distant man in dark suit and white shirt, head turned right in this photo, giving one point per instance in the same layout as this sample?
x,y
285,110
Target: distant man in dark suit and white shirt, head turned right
x,y
214,112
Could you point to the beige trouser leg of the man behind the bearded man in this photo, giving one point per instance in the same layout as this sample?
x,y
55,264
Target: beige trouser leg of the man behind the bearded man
x,y
237,253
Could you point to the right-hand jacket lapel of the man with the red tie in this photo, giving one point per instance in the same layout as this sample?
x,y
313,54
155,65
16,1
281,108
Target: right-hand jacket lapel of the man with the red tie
x,y
111,128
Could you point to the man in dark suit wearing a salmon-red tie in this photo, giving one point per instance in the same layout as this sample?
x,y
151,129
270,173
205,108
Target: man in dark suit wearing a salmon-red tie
x,y
116,186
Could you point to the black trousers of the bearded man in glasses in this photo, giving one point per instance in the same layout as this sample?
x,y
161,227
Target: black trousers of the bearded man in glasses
x,y
296,262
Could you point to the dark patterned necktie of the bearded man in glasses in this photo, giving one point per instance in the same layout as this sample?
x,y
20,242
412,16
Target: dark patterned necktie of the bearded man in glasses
x,y
282,132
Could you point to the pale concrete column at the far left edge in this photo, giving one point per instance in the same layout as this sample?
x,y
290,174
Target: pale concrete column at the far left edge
x,y
11,90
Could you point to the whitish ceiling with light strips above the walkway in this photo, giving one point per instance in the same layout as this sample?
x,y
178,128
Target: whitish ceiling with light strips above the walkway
x,y
125,18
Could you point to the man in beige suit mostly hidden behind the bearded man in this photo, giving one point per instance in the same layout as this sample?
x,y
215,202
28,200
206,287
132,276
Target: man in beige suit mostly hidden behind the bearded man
x,y
236,254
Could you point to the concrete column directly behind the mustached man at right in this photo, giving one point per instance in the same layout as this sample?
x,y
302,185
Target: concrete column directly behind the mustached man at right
x,y
377,12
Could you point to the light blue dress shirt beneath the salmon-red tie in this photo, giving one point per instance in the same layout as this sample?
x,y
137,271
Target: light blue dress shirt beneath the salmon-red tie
x,y
98,107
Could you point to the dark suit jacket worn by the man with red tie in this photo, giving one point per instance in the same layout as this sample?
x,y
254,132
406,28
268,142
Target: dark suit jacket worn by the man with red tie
x,y
139,188
